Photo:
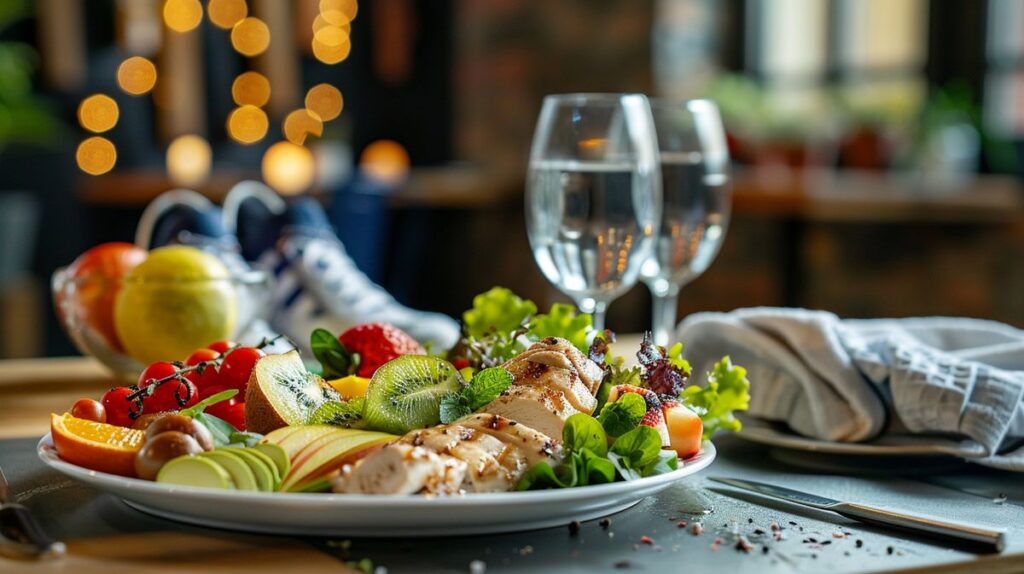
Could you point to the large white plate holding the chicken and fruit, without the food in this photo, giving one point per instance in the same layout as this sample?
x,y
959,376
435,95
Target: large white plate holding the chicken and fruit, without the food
x,y
362,515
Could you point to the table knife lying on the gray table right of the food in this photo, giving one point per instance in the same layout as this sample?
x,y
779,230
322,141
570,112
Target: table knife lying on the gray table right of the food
x,y
989,541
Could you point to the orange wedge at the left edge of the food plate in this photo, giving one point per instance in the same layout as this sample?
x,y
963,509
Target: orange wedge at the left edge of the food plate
x,y
98,447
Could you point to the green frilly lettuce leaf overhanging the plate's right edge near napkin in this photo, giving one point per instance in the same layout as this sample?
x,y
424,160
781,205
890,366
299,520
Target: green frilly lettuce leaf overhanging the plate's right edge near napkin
x,y
728,391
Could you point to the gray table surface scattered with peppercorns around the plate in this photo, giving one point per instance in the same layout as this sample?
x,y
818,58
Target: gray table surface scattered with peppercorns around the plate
x,y
812,542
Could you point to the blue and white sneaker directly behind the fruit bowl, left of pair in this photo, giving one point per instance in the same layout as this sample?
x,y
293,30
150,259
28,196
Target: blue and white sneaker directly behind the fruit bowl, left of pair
x,y
185,217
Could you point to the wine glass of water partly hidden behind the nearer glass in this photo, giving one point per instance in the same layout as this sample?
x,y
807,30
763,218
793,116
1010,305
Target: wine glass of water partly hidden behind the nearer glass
x,y
697,201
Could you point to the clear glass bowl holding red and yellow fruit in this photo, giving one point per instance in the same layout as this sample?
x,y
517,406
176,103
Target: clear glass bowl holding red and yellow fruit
x,y
131,323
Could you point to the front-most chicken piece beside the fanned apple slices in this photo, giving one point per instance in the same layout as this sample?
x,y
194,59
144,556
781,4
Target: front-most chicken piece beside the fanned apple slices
x,y
403,469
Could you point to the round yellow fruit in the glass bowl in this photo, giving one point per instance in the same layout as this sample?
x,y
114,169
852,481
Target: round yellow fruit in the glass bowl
x,y
177,301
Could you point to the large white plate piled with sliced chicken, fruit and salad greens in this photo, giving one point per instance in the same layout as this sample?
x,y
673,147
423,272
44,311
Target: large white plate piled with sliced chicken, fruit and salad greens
x,y
529,422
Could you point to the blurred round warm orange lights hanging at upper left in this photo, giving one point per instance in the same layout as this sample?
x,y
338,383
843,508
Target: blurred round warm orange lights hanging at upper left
x,y
288,166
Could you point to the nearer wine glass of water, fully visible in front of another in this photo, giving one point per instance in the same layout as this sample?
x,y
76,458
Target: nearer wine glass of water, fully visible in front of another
x,y
593,196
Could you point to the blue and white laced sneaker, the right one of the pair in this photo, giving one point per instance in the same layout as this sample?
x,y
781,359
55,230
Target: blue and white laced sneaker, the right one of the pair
x,y
318,285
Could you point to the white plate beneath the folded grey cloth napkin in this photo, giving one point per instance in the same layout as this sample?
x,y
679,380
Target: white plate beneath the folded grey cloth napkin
x,y
762,432
